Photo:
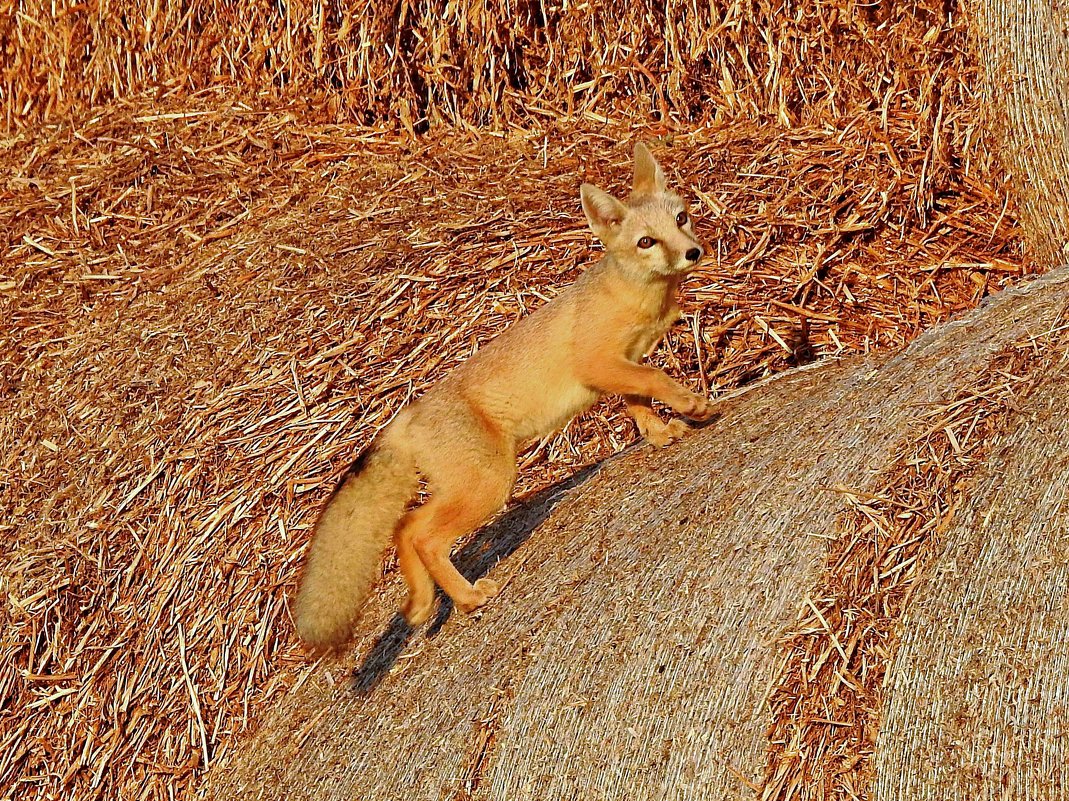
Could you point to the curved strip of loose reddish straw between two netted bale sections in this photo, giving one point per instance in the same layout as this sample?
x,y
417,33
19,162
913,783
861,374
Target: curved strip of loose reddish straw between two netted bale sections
x,y
828,703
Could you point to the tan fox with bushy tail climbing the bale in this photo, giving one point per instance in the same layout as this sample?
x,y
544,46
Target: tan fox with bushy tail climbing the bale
x,y
463,436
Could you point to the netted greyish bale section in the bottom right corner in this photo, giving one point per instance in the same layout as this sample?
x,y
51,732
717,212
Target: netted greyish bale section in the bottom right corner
x,y
978,688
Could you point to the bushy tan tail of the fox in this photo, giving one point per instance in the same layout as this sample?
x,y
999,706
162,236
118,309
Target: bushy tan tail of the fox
x,y
353,531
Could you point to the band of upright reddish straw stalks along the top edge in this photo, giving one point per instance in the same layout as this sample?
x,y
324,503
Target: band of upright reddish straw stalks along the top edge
x,y
471,63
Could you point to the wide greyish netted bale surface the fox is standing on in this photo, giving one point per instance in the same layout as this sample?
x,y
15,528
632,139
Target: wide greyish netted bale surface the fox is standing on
x,y
632,651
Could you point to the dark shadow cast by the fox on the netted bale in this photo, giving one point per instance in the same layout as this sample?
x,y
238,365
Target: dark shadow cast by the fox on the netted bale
x,y
490,546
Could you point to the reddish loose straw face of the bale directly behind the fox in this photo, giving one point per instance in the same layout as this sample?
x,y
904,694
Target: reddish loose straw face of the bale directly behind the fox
x,y
211,311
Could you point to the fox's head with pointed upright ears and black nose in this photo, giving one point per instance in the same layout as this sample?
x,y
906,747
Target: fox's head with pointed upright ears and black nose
x,y
653,233
